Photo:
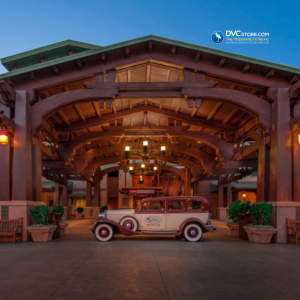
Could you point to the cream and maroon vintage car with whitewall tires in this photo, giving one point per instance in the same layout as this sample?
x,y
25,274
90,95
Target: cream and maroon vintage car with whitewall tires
x,y
180,216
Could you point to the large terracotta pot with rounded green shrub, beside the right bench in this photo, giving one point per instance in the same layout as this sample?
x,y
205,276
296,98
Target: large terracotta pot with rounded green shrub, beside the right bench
x,y
261,231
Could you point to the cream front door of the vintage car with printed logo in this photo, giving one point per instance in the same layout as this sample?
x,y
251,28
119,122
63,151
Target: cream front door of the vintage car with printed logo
x,y
152,216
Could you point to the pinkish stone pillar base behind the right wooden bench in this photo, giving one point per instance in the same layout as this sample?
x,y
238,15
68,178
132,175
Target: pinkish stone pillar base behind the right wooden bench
x,y
283,210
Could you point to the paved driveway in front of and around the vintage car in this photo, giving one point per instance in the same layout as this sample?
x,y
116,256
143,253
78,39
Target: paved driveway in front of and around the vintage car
x,y
79,267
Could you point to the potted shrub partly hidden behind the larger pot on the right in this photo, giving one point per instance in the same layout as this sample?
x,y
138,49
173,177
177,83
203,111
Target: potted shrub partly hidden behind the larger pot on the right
x,y
234,209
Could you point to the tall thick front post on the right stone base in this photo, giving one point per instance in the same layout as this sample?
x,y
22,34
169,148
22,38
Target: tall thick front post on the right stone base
x,y
281,167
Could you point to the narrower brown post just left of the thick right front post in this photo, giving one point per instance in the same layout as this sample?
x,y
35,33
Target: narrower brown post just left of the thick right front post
x,y
263,172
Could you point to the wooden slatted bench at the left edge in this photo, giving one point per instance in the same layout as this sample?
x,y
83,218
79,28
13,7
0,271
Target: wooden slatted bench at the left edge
x,y
12,228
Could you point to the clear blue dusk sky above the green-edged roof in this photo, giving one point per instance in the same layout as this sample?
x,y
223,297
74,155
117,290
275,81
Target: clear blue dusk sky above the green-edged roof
x,y
26,25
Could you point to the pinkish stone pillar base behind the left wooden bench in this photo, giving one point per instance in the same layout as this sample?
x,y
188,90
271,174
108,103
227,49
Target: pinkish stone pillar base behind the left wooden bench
x,y
19,209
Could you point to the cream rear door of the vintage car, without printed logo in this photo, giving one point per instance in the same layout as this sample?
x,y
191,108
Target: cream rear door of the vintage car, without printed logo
x,y
175,214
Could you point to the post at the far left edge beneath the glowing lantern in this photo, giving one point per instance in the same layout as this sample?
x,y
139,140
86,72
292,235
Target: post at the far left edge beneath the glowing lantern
x,y
5,171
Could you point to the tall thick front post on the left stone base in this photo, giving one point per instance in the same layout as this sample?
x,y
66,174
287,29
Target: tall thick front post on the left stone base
x,y
22,161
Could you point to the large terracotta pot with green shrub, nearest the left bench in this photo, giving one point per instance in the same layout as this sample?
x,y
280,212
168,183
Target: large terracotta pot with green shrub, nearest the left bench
x,y
41,231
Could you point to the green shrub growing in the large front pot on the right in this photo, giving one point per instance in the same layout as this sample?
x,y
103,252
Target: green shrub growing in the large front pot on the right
x,y
261,213
